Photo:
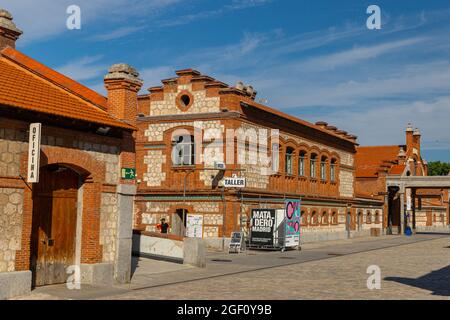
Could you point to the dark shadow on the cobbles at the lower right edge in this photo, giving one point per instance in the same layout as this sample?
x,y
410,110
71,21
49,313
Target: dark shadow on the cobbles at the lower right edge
x,y
437,281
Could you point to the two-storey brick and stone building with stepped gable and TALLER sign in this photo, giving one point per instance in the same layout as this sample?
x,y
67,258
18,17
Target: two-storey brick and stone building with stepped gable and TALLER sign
x,y
191,123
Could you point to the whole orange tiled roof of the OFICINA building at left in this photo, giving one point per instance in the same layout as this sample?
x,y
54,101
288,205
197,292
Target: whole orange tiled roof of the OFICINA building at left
x,y
28,84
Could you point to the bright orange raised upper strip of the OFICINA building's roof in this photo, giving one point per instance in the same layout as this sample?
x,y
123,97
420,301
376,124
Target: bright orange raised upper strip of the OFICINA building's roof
x,y
55,77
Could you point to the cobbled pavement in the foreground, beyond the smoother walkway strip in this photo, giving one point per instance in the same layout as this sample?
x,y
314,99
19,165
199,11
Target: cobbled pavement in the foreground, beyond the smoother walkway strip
x,y
415,271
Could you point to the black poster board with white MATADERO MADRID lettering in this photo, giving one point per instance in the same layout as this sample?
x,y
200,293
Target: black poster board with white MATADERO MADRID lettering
x,y
262,228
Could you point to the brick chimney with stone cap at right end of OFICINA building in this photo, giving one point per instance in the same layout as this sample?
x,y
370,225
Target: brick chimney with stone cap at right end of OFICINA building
x,y
123,84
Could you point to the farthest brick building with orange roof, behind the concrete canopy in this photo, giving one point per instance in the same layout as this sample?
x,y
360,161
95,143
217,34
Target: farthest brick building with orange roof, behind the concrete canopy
x,y
377,165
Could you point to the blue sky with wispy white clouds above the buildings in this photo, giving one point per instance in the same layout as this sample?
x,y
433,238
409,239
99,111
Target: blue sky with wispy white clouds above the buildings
x,y
313,59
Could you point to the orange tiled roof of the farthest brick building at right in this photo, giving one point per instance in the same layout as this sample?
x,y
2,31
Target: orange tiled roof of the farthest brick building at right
x,y
370,160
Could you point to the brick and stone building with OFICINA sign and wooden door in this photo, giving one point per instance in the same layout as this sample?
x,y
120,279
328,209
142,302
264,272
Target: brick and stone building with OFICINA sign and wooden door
x,y
80,212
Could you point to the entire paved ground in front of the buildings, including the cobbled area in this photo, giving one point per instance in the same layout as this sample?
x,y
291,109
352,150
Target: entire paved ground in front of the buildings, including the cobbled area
x,y
411,268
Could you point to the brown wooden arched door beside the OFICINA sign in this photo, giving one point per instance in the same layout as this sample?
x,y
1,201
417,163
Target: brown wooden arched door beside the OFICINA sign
x,y
54,224
